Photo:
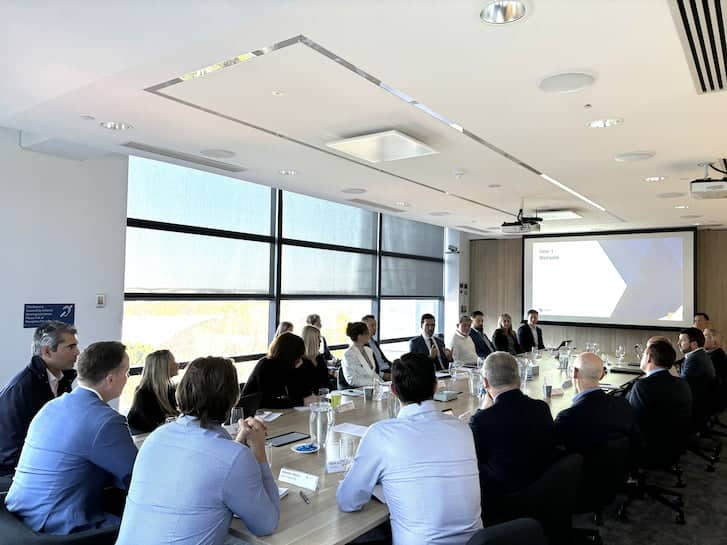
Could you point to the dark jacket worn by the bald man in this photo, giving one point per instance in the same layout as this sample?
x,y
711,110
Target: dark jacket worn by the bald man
x,y
594,419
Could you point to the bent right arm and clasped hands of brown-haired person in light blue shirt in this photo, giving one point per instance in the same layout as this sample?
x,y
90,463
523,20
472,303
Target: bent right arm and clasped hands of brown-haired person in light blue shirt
x,y
250,490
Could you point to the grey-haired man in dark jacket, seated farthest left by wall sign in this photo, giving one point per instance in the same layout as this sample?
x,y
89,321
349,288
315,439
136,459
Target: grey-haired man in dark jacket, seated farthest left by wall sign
x,y
49,374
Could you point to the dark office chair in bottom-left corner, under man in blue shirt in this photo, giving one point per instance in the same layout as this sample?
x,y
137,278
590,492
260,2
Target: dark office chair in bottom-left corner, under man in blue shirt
x,y
13,531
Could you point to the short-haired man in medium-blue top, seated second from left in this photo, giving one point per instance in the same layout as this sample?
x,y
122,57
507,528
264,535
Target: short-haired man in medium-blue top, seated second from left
x,y
75,446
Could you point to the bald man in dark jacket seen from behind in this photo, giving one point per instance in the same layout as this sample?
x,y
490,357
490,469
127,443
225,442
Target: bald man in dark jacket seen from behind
x,y
594,417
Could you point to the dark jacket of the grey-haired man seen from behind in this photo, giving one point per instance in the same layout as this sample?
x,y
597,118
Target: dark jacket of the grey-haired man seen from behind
x,y
514,440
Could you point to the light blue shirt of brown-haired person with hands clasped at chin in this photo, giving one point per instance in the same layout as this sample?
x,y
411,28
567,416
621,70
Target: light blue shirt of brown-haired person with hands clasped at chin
x,y
187,483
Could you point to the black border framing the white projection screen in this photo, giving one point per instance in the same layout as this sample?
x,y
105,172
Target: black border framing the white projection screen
x,y
597,234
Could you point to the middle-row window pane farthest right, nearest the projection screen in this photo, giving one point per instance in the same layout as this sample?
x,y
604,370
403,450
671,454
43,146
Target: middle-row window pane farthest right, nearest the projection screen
x,y
411,277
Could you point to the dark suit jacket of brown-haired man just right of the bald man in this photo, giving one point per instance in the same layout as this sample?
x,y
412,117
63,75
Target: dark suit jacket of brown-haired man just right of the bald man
x,y
662,404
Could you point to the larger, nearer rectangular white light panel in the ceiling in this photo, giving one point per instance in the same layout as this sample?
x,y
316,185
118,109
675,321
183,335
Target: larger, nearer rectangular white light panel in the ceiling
x,y
382,146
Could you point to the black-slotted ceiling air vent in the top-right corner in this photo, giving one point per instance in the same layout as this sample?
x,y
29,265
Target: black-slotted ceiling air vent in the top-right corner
x,y
701,28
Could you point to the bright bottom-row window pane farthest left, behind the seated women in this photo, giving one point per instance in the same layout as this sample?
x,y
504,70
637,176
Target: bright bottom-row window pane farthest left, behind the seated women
x,y
191,329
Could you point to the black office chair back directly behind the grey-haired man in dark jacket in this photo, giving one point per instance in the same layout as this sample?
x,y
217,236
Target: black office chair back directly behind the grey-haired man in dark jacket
x,y
551,500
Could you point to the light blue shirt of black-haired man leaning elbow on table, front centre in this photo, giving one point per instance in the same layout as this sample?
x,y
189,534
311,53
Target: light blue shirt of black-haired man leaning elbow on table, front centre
x,y
426,463
